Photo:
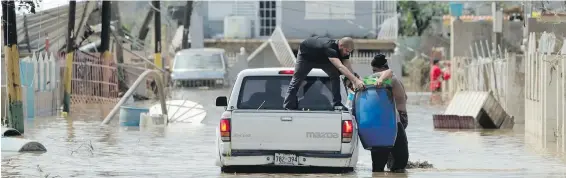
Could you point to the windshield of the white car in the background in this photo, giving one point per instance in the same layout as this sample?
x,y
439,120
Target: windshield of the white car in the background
x,y
198,61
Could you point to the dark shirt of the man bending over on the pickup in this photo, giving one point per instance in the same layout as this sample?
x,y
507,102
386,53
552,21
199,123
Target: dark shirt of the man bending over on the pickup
x,y
318,49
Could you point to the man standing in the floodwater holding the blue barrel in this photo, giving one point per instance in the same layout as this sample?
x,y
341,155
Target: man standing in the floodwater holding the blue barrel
x,y
398,157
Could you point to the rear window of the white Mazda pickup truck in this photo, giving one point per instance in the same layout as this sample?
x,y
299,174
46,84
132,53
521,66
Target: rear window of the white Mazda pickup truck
x,y
268,92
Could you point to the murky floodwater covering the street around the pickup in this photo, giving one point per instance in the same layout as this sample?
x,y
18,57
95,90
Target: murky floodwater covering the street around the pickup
x,y
79,147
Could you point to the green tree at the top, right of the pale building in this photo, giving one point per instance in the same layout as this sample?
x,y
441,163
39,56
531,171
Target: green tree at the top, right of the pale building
x,y
416,16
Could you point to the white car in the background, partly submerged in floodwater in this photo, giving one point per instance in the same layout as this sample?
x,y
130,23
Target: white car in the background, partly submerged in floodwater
x,y
200,66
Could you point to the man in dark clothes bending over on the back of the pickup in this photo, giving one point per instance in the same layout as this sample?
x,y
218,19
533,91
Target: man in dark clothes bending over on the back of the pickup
x,y
332,56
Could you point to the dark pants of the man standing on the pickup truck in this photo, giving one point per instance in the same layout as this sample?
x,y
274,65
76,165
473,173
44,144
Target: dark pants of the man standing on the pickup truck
x,y
302,69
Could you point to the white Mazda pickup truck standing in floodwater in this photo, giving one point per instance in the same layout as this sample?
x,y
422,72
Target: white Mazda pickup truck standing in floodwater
x,y
255,130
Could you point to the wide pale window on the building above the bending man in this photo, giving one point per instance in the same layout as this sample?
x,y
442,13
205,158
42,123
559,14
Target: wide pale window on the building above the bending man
x,y
320,10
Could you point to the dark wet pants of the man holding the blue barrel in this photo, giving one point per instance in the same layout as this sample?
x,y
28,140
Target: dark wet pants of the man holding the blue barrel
x,y
396,157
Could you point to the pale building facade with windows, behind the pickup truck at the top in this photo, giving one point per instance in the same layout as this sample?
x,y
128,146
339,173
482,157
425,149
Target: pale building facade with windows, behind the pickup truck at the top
x,y
300,19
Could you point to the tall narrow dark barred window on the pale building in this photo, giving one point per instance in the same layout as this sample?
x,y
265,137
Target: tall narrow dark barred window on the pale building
x,y
267,17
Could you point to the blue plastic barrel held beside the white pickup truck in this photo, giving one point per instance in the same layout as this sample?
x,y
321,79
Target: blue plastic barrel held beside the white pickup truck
x,y
376,117
